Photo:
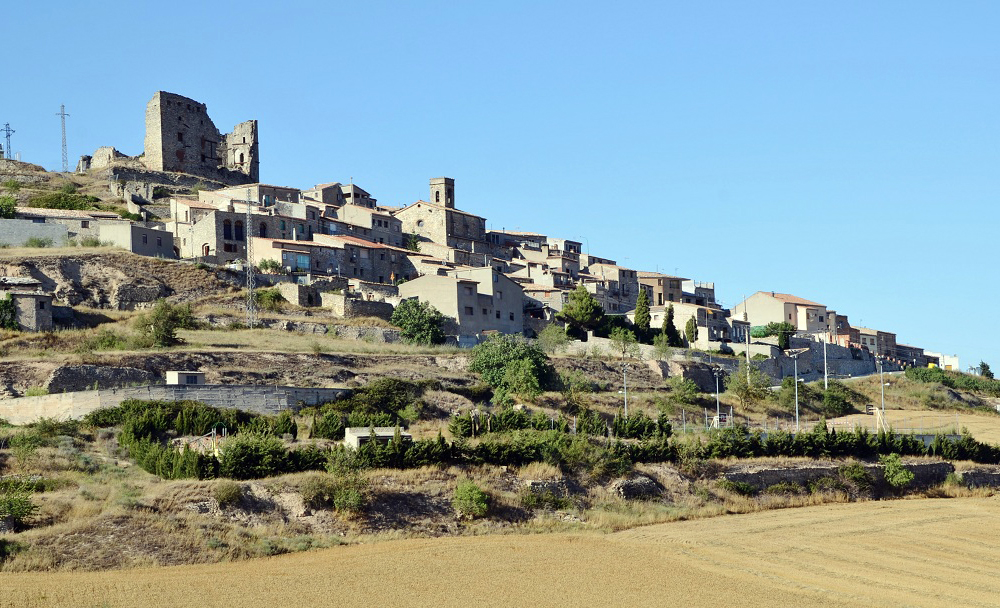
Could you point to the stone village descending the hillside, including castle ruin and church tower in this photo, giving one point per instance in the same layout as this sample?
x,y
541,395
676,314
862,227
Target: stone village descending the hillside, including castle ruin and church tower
x,y
194,194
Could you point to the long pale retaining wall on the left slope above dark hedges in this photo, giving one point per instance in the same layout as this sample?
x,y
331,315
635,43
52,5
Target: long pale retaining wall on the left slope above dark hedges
x,y
252,398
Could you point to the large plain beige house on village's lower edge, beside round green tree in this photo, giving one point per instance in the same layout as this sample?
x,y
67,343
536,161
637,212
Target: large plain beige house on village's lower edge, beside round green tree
x,y
475,300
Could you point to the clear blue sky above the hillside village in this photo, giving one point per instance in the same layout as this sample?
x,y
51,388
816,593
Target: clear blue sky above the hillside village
x,y
845,152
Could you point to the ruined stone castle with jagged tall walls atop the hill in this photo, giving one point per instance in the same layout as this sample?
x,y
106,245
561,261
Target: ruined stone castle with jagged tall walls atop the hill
x,y
181,138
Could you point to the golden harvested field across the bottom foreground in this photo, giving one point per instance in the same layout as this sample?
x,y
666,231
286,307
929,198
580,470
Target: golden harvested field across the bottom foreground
x,y
929,552
